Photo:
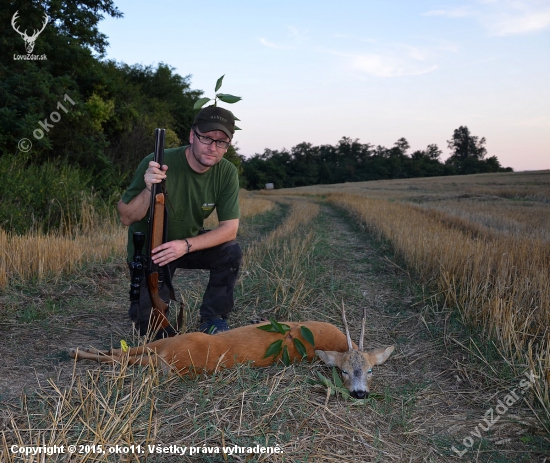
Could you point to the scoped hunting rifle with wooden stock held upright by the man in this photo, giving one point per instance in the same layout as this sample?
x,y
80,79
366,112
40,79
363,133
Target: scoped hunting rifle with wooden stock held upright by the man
x,y
156,235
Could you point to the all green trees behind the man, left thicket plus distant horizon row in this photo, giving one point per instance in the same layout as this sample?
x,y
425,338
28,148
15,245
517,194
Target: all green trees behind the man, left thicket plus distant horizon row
x,y
91,120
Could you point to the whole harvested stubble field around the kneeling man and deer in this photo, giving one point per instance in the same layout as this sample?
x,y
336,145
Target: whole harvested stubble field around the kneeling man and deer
x,y
453,271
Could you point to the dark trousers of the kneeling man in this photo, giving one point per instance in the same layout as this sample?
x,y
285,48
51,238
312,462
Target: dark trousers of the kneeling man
x,y
223,261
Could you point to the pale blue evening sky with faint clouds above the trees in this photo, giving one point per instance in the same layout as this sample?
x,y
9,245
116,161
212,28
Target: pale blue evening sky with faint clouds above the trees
x,y
318,70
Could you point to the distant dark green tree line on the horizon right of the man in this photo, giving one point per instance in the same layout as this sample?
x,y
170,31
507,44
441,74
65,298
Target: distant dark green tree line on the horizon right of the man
x,y
351,161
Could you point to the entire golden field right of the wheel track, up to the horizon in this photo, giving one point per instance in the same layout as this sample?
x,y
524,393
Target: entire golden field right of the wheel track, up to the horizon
x,y
486,255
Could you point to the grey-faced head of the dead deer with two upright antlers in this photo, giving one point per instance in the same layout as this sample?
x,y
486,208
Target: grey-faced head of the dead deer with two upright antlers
x,y
355,364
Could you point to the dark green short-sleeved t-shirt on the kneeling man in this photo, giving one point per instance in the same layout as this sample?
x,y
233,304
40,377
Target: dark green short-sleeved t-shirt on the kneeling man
x,y
191,197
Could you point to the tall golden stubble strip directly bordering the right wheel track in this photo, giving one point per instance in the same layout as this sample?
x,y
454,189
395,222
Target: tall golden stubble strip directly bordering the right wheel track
x,y
501,284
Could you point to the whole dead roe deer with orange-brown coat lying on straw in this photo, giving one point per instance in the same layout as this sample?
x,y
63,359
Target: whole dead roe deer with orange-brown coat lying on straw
x,y
193,353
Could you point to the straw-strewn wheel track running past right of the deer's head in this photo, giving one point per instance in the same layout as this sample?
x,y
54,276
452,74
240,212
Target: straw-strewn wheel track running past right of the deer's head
x,y
439,399
